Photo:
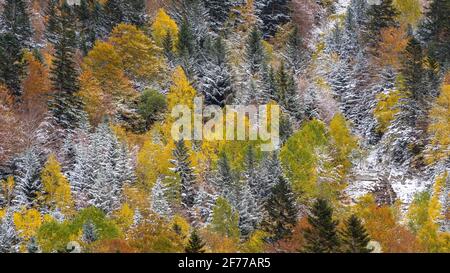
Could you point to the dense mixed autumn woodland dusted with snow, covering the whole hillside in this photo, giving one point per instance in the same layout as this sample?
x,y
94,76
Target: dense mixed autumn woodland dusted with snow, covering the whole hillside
x,y
86,153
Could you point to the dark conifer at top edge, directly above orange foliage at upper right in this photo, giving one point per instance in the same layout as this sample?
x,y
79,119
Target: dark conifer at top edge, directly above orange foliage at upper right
x,y
380,16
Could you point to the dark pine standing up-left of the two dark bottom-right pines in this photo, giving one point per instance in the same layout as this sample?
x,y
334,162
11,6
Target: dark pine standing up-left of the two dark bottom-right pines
x,y
281,211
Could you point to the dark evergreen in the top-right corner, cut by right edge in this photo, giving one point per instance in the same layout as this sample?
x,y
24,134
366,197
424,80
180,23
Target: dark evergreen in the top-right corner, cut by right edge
x,y
435,30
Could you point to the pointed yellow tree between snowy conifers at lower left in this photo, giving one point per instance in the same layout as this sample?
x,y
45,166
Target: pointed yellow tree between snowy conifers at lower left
x,y
56,186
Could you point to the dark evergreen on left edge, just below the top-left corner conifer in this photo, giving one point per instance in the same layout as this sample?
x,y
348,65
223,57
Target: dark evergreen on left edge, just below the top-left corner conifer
x,y
11,65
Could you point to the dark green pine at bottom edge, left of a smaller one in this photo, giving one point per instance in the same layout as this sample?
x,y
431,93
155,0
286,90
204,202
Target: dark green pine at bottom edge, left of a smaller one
x,y
322,236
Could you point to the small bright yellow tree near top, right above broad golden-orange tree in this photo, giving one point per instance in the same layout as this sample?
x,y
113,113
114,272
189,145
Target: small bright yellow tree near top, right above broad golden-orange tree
x,y
163,26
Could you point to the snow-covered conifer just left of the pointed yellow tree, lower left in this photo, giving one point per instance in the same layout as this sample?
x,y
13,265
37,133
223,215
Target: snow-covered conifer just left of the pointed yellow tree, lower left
x,y
26,176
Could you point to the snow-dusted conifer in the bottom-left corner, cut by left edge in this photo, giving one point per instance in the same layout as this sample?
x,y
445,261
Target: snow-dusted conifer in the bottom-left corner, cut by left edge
x,y
9,238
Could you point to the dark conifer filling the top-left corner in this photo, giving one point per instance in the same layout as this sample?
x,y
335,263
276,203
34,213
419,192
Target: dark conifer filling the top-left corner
x,y
15,20
